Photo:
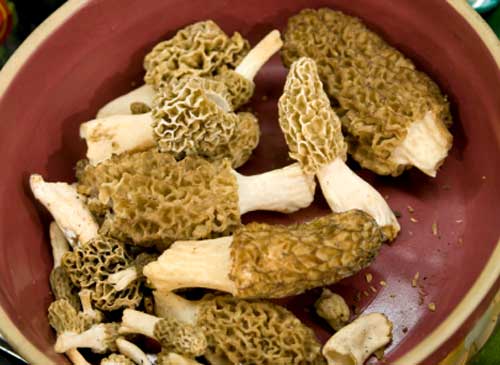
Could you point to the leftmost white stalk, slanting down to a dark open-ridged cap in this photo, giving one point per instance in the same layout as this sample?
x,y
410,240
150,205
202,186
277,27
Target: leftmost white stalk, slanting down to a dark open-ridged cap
x,y
67,208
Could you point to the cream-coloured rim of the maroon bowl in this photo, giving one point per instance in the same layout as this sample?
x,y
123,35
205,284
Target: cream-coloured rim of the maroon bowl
x,y
483,285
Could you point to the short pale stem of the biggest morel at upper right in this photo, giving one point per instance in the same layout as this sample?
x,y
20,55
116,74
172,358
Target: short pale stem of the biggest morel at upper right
x,y
425,146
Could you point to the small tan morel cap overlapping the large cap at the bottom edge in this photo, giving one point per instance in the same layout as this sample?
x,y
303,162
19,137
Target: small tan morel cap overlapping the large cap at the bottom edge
x,y
181,338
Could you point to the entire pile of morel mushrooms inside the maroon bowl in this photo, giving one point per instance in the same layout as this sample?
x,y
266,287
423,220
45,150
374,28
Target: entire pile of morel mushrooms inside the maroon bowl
x,y
156,209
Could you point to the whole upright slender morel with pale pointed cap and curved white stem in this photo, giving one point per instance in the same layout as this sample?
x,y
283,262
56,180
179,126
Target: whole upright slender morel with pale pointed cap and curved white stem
x,y
314,136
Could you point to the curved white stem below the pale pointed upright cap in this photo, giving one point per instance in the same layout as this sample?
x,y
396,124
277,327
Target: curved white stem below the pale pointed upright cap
x,y
344,190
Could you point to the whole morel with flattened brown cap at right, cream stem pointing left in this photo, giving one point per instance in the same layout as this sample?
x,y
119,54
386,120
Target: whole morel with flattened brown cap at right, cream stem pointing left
x,y
271,261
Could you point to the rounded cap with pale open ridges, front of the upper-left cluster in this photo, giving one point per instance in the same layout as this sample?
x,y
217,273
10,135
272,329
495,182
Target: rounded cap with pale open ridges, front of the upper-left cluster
x,y
187,119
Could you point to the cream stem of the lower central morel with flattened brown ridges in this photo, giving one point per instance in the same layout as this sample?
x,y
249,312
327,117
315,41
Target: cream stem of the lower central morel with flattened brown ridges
x,y
209,266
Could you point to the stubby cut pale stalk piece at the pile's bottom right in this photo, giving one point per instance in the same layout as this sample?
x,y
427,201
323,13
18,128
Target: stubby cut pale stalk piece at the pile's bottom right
x,y
356,342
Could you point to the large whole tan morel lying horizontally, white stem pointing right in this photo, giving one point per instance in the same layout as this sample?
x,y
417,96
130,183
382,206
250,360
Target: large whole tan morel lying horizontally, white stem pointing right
x,y
149,198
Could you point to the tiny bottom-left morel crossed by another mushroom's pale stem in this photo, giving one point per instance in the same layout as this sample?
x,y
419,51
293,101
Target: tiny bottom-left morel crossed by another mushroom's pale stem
x,y
64,319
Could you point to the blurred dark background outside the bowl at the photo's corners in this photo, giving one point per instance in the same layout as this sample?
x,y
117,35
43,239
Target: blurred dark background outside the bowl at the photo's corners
x,y
18,18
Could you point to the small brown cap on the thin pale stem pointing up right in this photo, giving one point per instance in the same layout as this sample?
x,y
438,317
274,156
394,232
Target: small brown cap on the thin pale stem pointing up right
x,y
240,88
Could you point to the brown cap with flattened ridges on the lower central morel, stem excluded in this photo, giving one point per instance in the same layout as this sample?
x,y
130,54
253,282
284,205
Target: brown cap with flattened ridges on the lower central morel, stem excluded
x,y
274,261
